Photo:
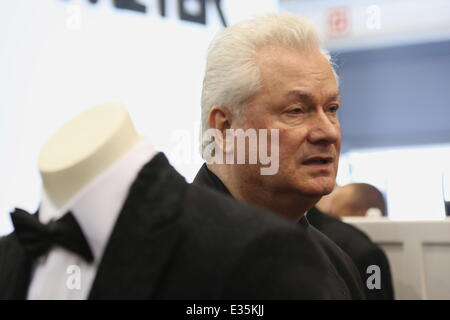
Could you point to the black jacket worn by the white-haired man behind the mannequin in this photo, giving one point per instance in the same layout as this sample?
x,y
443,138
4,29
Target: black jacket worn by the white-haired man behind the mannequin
x,y
344,282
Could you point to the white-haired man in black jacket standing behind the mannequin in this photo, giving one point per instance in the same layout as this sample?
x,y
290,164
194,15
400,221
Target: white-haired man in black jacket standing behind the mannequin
x,y
270,73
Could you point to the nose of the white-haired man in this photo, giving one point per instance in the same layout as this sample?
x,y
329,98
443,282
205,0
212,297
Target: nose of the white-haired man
x,y
324,130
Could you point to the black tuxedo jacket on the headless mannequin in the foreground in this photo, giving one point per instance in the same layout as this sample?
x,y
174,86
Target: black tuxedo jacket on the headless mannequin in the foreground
x,y
178,241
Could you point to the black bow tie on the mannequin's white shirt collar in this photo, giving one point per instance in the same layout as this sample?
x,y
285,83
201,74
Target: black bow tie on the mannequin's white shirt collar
x,y
38,238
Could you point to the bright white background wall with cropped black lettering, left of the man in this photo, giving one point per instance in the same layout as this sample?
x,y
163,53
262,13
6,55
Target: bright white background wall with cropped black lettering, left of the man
x,y
58,58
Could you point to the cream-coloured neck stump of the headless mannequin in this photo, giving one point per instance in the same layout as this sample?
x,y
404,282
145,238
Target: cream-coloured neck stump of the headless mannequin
x,y
84,148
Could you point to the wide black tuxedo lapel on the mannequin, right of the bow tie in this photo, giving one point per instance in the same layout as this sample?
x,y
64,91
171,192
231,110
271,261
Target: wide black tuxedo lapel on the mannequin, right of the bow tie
x,y
145,236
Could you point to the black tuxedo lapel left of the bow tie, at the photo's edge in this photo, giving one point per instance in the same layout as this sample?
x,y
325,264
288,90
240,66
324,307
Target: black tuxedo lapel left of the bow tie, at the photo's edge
x,y
15,269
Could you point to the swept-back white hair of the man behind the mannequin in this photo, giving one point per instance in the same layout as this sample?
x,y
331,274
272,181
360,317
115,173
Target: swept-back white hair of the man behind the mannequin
x,y
232,74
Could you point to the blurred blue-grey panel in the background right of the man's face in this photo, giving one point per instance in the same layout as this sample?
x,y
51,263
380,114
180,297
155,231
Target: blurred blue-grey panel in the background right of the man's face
x,y
395,96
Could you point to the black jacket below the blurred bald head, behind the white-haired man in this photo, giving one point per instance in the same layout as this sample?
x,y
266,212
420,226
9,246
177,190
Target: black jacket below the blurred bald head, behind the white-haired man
x,y
360,248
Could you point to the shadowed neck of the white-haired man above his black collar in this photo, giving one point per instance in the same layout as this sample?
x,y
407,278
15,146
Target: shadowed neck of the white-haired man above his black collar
x,y
290,205
